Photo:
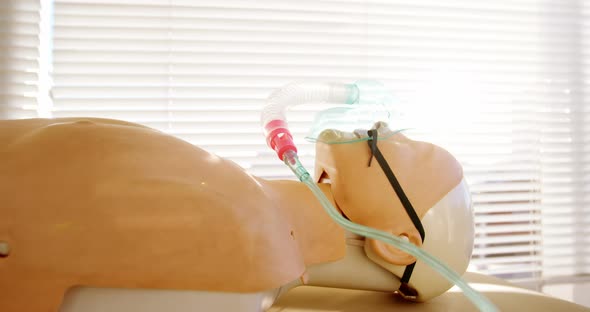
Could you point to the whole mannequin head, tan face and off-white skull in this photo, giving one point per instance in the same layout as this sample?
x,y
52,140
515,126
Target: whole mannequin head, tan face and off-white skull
x,y
432,180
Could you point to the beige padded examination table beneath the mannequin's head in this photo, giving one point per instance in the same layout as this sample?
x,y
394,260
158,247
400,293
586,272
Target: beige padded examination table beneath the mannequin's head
x,y
505,296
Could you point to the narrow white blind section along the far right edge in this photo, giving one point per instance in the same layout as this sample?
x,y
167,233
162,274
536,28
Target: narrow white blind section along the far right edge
x,y
566,148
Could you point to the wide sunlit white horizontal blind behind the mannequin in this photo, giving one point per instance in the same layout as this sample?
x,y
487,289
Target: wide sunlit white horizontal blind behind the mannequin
x,y
471,76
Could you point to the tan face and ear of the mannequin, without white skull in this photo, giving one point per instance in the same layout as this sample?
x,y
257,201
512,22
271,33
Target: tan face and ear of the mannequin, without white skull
x,y
364,194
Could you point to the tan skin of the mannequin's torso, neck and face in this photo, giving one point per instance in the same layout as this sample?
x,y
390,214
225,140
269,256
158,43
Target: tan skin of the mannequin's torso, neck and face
x,y
106,203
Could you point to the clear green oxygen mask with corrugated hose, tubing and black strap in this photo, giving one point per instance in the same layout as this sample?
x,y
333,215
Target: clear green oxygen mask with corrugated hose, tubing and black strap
x,y
362,104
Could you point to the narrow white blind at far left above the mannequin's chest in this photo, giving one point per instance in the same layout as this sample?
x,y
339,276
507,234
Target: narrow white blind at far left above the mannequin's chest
x,y
19,54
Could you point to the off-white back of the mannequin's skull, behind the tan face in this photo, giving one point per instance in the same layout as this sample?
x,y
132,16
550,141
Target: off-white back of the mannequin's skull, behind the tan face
x,y
449,236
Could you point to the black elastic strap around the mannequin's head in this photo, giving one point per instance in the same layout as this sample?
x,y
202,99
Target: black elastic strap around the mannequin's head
x,y
375,152
